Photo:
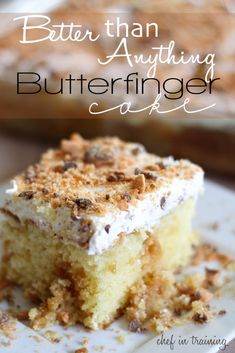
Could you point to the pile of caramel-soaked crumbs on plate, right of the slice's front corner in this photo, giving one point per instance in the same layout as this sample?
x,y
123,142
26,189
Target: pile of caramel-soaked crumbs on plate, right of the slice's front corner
x,y
163,301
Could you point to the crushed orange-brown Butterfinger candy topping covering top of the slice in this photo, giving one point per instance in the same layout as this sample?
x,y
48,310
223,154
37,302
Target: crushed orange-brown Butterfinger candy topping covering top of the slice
x,y
92,176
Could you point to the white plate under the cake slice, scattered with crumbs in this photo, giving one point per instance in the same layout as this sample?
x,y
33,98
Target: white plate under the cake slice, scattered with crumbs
x,y
216,205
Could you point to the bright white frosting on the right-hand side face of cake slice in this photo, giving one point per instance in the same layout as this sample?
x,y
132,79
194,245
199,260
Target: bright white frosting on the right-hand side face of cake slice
x,y
145,215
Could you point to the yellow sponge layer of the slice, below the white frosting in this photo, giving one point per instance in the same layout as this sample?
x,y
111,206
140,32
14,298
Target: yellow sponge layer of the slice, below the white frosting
x,y
76,287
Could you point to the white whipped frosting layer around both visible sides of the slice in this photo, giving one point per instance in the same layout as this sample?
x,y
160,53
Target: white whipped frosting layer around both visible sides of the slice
x,y
145,215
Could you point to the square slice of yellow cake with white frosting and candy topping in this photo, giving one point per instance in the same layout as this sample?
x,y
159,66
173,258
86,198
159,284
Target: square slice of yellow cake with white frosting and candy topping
x,y
89,221
